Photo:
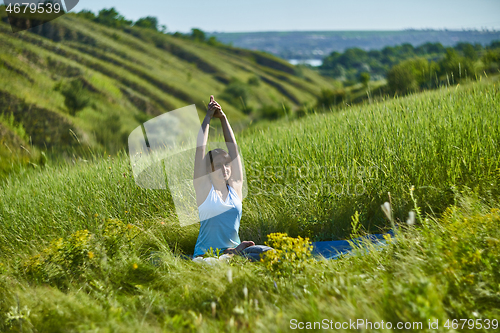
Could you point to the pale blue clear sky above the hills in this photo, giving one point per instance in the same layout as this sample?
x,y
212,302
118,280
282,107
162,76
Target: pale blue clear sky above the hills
x,y
285,15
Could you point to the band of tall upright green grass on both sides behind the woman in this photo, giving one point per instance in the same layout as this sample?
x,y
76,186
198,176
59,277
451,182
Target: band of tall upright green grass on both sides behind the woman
x,y
304,177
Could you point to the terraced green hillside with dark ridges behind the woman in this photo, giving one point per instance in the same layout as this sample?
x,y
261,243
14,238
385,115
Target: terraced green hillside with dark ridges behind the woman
x,y
120,78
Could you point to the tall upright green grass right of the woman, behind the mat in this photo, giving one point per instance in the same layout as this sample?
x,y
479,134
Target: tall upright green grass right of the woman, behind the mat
x,y
437,142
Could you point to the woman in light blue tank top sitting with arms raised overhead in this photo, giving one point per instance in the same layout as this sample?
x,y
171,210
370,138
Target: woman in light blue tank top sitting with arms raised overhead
x,y
218,182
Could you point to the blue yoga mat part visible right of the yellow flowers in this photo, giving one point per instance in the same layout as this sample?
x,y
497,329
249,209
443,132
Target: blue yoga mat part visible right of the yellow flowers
x,y
335,249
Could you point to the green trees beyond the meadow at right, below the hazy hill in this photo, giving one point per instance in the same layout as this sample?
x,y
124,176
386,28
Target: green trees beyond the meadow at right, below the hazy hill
x,y
409,68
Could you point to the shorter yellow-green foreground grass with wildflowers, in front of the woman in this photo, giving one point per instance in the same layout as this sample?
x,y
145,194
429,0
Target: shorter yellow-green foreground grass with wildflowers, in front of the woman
x,y
442,270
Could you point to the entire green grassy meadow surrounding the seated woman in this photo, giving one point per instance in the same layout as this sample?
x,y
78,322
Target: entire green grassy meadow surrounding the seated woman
x,y
84,249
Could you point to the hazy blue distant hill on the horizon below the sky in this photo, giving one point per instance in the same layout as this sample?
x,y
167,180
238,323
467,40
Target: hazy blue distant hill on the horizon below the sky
x,y
318,44
